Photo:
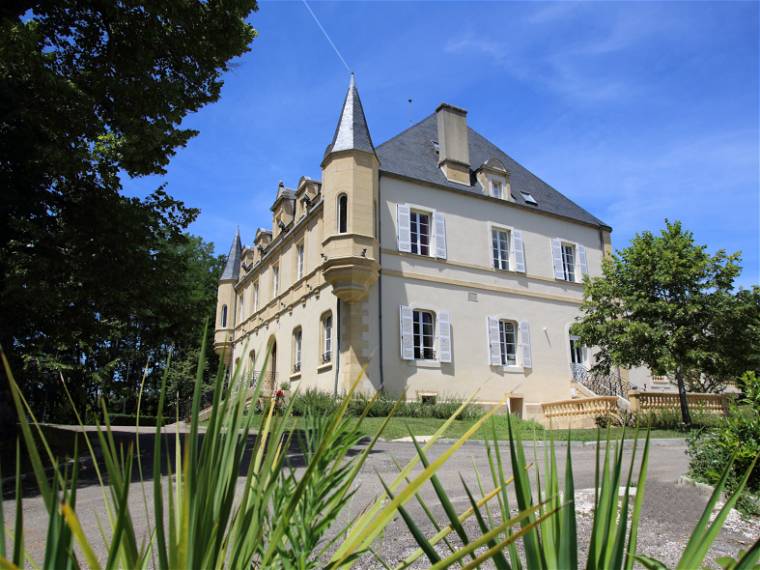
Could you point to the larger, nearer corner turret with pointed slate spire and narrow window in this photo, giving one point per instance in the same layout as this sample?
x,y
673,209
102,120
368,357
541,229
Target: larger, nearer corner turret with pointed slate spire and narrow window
x,y
349,185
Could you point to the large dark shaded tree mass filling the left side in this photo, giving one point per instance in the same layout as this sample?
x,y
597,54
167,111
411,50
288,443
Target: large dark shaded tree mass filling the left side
x,y
93,282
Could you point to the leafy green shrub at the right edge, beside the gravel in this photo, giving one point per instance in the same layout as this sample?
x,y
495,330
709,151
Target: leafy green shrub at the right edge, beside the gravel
x,y
738,435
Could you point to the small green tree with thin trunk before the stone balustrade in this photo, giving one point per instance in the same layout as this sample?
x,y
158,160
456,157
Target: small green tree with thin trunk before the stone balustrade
x,y
659,303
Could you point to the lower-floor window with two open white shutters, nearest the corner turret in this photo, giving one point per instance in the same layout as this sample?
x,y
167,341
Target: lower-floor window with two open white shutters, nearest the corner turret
x,y
425,334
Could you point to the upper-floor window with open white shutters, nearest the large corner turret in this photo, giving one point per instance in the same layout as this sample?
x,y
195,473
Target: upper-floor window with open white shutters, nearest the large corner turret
x,y
421,231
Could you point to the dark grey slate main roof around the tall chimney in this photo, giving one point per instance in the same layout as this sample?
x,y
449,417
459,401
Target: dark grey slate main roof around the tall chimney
x,y
412,154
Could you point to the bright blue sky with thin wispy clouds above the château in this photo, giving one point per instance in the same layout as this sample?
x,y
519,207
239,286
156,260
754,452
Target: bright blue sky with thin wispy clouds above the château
x,y
638,111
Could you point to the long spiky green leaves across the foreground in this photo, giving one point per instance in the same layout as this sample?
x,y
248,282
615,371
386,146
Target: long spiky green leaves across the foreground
x,y
285,515
